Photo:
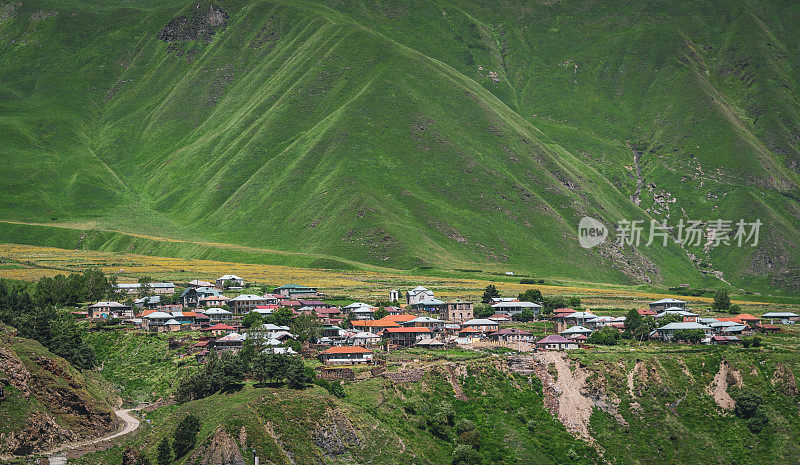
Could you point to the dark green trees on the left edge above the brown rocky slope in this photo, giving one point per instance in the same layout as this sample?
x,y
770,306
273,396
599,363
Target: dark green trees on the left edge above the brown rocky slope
x,y
42,322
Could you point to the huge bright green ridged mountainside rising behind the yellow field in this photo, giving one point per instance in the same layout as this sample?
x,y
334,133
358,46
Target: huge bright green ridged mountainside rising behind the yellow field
x,y
449,134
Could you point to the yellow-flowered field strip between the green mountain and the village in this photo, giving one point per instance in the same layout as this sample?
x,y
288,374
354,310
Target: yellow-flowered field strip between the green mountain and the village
x,y
32,262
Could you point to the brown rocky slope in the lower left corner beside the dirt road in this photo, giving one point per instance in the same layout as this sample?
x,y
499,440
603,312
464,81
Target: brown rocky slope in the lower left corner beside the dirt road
x,y
44,401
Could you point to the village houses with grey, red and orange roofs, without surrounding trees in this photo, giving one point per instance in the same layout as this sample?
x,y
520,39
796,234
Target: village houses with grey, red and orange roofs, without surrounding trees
x,y
348,333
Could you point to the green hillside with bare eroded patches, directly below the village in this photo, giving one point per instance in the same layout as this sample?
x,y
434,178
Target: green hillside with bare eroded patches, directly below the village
x,y
643,407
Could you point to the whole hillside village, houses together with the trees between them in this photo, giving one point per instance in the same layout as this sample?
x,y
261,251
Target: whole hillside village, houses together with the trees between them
x,y
363,333
